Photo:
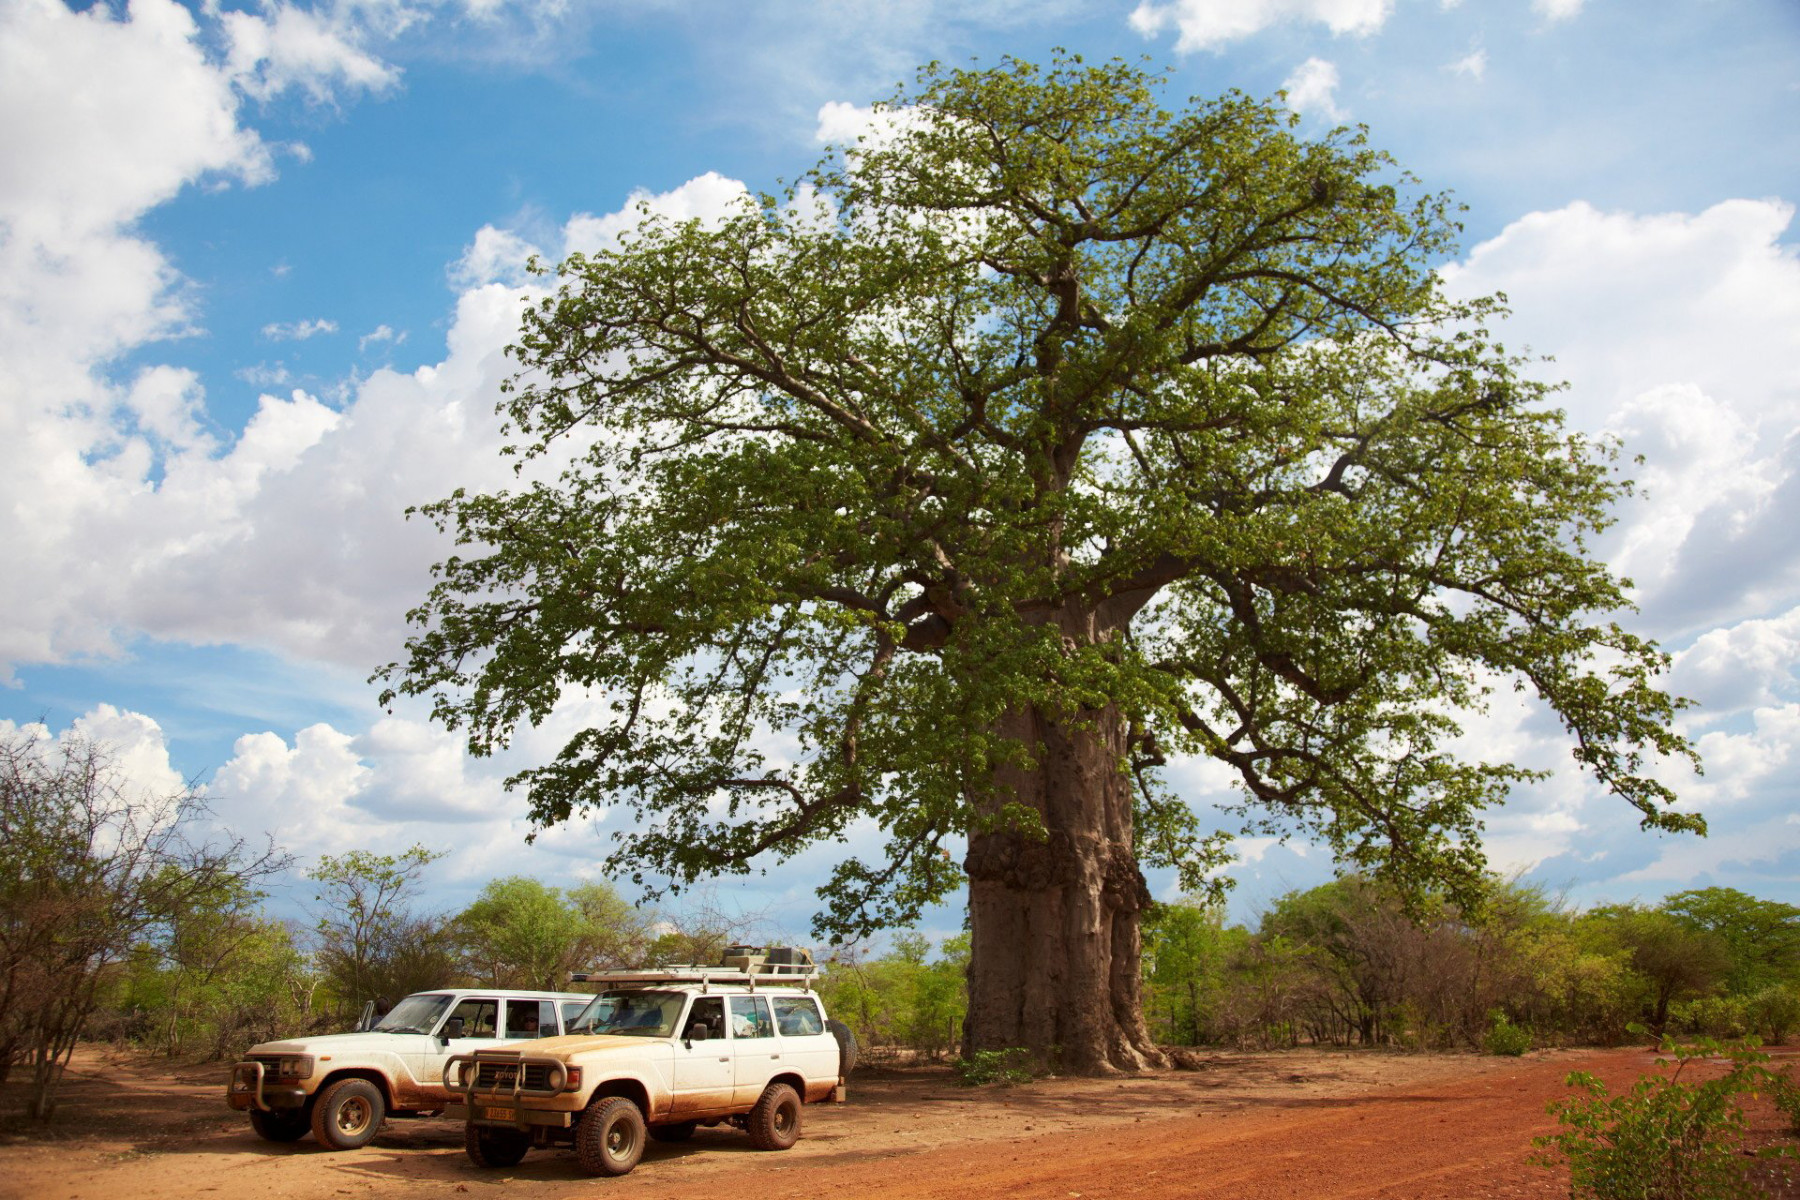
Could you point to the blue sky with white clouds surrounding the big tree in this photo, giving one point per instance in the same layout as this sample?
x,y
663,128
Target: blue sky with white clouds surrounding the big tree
x,y
258,265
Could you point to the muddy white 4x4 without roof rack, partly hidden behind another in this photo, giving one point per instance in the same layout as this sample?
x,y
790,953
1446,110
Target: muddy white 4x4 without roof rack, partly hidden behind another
x,y
343,1086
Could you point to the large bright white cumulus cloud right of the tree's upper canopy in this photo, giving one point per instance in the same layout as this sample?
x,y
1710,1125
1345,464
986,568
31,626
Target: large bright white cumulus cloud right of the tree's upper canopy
x,y
1678,334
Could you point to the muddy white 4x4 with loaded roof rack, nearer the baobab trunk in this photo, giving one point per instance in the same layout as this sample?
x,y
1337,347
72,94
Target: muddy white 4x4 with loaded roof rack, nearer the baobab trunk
x,y
658,1055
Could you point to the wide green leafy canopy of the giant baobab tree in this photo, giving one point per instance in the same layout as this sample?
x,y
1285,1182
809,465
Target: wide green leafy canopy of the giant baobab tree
x,y
1041,397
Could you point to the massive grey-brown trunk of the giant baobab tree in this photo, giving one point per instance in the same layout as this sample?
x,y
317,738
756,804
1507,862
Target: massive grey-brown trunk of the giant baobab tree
x,y
1054,922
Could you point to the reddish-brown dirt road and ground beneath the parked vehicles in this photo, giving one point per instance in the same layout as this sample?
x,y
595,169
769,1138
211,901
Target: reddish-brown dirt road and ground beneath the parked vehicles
x,y
1246,1127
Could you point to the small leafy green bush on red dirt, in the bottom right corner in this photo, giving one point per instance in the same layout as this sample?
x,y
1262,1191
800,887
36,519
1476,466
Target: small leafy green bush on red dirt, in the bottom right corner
x,y
1664,1140
